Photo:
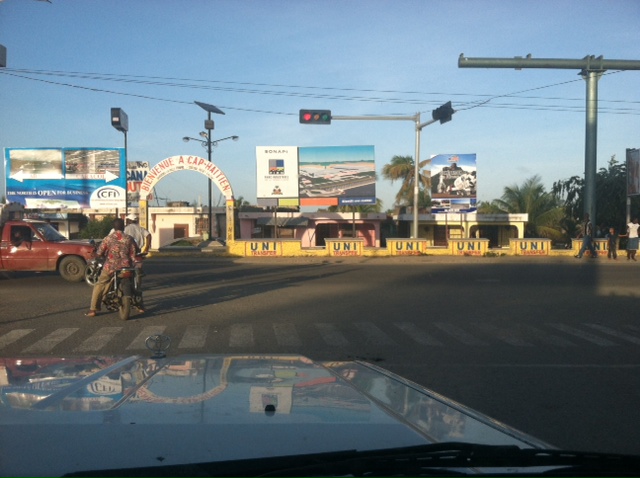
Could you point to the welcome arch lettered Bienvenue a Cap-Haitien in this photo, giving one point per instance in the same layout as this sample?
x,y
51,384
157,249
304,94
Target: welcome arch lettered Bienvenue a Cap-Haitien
x,y
200,165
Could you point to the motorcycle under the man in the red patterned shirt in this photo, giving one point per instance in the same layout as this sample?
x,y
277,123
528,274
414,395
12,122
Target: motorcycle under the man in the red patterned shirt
x,y
124,288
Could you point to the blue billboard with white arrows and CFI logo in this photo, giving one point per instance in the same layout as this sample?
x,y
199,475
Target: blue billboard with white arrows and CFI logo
x,y
66,178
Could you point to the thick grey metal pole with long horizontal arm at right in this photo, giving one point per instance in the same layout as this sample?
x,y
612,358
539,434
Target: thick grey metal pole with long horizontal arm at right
x,y
591,70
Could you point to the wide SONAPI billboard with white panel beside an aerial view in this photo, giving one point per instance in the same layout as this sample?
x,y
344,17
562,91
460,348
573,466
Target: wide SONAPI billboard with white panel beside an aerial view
x,y
316,176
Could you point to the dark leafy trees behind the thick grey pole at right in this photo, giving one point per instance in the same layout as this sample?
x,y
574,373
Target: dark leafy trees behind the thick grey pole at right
x,y
611,196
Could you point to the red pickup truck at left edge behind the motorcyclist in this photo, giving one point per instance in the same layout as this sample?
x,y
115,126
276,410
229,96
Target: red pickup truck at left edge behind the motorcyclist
x,y
30,245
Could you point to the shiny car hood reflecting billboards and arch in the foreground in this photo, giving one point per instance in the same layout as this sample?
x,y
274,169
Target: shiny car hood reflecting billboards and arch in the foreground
x,y
118,412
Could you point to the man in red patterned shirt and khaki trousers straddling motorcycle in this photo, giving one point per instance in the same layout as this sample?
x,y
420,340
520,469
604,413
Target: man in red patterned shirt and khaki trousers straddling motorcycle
x,y
120,251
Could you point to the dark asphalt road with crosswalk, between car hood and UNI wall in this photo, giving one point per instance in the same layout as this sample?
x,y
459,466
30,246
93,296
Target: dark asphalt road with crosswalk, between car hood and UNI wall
x,y
548,346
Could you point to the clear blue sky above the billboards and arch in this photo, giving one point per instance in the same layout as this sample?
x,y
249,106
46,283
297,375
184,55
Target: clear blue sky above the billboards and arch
x,y
261,61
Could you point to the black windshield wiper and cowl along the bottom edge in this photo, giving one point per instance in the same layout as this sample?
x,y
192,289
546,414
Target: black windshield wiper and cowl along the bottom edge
x,y
441,459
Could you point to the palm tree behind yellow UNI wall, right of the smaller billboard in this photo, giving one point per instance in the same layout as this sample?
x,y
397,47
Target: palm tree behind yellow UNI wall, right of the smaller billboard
x,y
544,209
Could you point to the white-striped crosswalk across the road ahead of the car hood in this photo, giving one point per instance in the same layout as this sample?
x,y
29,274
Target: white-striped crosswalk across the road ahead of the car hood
x,y
296,337
